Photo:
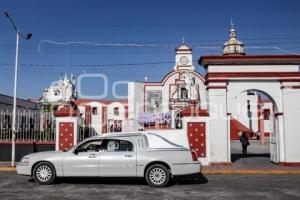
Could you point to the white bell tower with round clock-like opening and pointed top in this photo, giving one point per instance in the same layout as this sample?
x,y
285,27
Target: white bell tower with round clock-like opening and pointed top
x,y
183,57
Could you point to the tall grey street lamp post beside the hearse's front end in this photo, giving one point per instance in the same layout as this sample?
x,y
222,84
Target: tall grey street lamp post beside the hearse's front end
x,y
26,37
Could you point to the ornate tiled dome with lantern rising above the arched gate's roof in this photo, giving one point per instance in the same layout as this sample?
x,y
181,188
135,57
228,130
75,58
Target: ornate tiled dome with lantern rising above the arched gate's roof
x,y
233,46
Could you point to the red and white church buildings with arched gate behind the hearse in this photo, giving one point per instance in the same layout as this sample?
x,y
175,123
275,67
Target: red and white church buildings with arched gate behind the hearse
x,y
256,94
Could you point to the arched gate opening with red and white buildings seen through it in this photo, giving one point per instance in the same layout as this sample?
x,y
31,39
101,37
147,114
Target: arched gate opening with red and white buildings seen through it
x,y
254,114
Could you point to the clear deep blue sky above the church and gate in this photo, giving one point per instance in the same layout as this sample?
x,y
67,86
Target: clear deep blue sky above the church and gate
x,y
261,25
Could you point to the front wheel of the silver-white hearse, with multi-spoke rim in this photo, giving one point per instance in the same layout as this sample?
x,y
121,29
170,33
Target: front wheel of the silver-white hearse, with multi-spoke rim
x,y
44,173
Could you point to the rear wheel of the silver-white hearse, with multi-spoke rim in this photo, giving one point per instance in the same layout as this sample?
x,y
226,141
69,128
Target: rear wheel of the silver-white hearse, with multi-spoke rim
x,y
157,175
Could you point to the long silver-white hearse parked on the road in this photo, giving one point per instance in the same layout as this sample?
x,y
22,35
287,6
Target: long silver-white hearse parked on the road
x,y
142,154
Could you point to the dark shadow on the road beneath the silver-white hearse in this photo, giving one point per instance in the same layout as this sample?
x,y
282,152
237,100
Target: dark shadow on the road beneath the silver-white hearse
x,y
182,180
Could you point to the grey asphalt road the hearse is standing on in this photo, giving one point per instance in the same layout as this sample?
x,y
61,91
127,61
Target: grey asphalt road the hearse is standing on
x,y
13,186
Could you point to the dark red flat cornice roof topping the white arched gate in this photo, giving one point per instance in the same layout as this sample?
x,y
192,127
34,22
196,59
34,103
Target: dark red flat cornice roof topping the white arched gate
x,y
249,60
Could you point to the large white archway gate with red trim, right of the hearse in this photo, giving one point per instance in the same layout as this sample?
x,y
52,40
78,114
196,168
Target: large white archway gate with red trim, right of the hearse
x,y
275,75
